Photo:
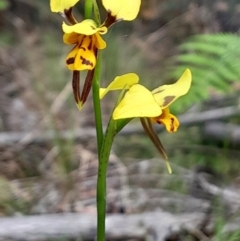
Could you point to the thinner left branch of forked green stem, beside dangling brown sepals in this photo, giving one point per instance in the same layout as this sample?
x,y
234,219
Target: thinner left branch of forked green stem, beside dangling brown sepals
x,y
97,104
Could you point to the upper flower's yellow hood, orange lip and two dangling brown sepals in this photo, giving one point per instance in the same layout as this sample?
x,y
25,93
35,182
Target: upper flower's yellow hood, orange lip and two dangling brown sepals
x,y
86,37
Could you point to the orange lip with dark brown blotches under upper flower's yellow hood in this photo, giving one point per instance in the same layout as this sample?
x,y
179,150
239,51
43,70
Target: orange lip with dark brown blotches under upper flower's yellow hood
x,y
82,57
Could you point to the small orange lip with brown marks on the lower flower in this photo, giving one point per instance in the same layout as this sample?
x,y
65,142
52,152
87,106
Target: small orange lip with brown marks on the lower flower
x,y
166,118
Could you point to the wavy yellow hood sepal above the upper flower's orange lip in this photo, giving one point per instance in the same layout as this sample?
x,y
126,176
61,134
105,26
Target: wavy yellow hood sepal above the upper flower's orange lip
x,y
86,27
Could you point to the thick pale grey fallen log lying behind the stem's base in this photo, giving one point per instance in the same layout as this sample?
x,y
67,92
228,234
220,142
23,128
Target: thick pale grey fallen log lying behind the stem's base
x,y
156,224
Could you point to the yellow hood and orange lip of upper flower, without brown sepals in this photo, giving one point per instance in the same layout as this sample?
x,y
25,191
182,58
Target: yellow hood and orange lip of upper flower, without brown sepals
x,y
86,37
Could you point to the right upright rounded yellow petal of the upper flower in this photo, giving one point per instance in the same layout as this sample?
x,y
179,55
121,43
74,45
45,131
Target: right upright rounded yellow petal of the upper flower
x,y
122,9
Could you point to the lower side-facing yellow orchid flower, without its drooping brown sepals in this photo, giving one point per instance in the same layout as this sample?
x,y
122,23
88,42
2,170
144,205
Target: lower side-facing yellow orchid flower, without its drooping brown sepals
x,y
140,102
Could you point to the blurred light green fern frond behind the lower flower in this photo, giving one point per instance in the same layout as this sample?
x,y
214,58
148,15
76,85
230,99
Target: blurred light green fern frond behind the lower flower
x,y
214,60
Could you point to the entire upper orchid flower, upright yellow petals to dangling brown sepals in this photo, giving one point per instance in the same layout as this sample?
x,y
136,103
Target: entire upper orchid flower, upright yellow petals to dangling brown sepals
x,y
87,40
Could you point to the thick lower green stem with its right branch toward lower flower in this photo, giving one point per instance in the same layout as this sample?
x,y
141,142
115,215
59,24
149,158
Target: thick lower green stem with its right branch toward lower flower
x,y
101,182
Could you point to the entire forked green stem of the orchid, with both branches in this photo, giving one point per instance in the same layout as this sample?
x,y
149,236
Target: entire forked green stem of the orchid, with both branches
x,y
104,143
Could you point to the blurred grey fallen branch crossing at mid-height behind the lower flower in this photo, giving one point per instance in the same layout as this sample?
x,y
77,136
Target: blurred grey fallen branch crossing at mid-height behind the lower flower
x,y
10,138
